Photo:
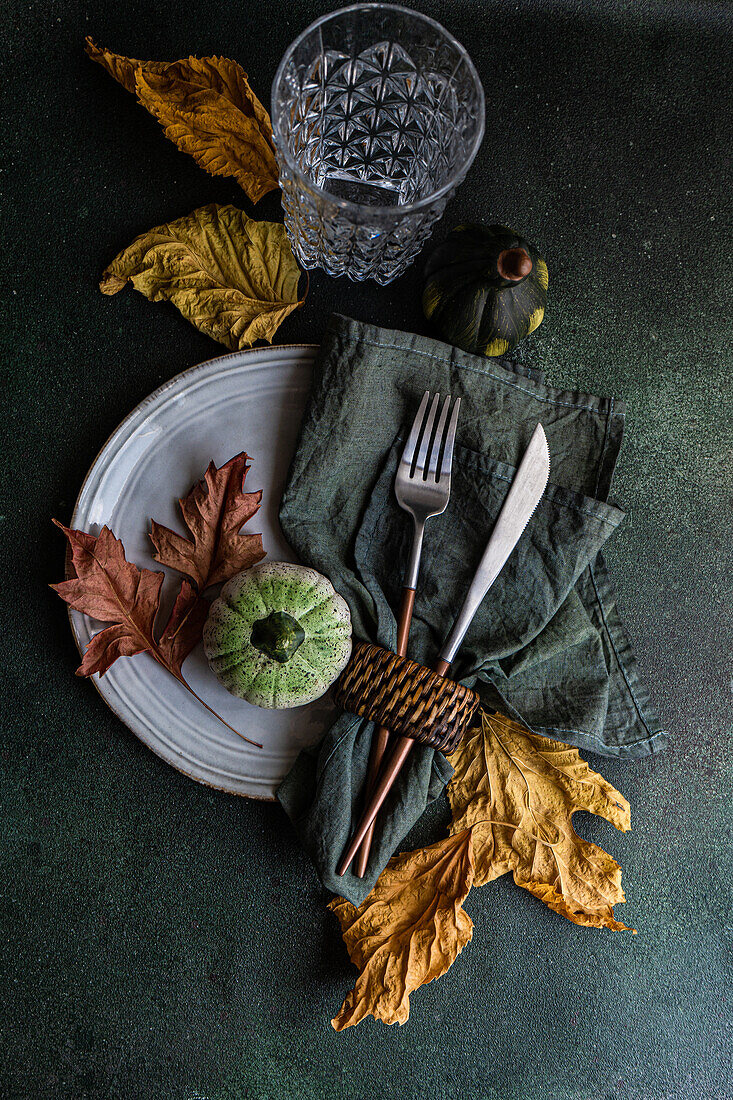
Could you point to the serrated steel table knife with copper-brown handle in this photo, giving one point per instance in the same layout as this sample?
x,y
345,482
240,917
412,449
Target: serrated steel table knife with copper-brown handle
x,y
523,498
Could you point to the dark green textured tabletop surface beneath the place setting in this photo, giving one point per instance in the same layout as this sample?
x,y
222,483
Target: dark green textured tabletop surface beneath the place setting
x,y
161,940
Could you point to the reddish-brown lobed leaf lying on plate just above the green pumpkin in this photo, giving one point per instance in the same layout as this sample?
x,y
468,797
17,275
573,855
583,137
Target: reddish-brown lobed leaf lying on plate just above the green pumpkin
x,y
214,512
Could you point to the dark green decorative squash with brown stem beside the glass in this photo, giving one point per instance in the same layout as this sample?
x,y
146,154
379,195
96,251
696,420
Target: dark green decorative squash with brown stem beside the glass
x,y
486,289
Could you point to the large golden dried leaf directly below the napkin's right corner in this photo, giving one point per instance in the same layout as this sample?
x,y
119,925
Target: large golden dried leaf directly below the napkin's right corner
x,y
518,794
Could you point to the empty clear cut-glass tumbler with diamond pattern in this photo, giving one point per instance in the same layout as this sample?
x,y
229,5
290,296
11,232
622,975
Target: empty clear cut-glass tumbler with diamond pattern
x,y
378,114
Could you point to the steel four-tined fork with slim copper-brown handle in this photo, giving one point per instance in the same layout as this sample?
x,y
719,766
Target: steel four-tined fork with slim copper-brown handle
x,y
423,489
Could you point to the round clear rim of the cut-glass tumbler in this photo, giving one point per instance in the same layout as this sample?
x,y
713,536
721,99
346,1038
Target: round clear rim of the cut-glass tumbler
x,y
363,208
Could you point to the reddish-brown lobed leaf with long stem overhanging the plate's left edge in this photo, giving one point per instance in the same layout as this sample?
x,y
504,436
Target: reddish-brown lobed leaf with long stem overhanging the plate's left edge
x,y
111,589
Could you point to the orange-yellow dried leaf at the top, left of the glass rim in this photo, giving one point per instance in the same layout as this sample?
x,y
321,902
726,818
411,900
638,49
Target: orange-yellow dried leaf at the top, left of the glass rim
x,y
209,109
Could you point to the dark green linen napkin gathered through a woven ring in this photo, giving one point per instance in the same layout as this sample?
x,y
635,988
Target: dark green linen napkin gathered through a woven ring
x,y
546,646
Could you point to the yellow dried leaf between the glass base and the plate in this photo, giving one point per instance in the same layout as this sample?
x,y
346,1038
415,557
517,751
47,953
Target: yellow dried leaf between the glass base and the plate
x,y
235,279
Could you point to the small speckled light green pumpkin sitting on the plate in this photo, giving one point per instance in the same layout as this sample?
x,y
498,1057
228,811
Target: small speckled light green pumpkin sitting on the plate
x,y
279,635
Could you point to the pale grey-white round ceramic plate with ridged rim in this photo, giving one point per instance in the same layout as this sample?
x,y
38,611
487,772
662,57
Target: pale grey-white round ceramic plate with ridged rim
x,y
251,402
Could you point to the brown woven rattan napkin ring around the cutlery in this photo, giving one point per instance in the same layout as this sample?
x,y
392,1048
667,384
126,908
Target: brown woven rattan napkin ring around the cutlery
x,y
407,698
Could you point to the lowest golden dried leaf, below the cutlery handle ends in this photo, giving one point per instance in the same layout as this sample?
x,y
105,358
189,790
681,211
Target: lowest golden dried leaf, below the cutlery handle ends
x,y
409,931
